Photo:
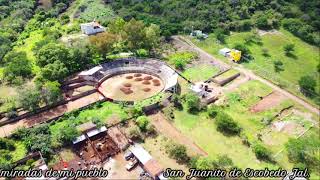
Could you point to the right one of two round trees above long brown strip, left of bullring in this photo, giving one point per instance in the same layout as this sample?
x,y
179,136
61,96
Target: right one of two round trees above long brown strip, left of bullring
x,y
51,92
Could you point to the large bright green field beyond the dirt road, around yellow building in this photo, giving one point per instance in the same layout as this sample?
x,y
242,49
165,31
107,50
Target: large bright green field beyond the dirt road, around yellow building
x,y
304,60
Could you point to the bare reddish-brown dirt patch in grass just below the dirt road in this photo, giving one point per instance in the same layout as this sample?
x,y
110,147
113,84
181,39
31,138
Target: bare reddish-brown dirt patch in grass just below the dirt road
x,y
273,99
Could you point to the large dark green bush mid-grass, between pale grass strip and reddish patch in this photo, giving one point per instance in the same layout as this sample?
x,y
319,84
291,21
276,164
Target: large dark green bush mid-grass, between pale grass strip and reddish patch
x,y
226,124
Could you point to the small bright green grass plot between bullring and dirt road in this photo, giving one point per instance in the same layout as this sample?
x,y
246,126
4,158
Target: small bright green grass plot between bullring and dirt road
x,y
200,72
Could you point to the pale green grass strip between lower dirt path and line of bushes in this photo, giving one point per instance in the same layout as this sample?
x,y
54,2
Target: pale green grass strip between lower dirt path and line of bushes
x,y
203,132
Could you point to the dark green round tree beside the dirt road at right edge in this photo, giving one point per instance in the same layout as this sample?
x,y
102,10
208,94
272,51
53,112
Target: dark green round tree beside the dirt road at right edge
x,y
307,85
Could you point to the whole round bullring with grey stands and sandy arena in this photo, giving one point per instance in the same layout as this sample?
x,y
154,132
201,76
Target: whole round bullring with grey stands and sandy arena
x,y
132,79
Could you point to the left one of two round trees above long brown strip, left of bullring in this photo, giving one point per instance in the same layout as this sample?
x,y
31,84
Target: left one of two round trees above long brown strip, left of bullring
x,y
29,98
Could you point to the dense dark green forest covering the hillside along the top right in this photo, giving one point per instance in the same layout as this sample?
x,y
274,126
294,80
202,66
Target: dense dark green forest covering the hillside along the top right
x,y
298,16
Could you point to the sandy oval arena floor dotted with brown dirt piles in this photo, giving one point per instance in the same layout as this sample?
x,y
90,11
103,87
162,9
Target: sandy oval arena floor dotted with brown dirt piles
x,y
131,86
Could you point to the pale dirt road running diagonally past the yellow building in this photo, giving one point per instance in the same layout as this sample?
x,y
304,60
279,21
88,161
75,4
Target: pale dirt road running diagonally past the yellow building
x,y
248,73
